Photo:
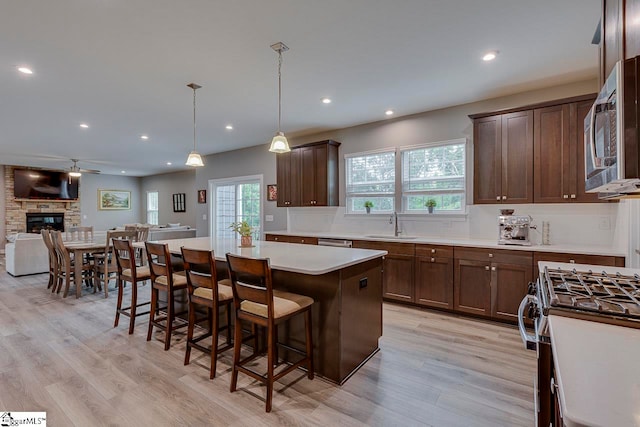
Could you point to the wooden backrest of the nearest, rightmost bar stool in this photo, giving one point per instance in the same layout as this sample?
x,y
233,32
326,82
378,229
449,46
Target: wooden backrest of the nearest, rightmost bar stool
x,y
251,281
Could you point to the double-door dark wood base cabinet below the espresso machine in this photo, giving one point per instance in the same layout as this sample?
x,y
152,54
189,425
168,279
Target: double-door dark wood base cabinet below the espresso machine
x,y
491,282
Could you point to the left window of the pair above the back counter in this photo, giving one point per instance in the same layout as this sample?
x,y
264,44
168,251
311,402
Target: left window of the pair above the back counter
x,y
371,177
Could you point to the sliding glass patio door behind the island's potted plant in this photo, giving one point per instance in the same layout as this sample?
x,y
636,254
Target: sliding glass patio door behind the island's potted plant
x,y
236,199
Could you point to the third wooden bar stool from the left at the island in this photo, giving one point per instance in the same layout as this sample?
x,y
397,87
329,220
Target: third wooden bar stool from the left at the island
x,y
206,291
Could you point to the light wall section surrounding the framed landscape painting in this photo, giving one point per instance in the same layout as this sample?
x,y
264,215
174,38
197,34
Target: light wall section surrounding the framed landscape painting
x,y
104,220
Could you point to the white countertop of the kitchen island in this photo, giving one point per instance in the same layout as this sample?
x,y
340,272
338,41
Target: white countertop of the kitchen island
x,y
297,258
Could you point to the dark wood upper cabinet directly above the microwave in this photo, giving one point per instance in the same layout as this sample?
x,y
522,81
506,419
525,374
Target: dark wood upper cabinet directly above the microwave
x,y
620,33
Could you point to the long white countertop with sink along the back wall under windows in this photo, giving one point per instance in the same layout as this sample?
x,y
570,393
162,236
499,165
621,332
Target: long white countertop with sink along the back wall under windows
x,y
479,243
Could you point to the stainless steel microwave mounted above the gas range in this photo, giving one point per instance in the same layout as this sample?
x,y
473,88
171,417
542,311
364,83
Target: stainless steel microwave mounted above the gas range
x,y
612,160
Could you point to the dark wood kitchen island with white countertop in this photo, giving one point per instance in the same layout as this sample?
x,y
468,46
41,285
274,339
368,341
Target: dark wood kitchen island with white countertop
x,y
345,283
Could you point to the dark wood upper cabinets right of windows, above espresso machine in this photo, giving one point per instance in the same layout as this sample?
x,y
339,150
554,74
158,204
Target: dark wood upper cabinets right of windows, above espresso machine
x,y
532,155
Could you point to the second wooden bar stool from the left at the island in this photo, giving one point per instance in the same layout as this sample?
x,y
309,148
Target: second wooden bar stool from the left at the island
x,y
163,279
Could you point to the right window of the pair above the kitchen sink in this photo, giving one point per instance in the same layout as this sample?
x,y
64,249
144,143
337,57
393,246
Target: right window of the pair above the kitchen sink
x,y
435,171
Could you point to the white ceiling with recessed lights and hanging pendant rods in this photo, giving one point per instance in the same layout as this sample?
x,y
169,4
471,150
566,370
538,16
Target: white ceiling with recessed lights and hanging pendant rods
x,y
122,66
